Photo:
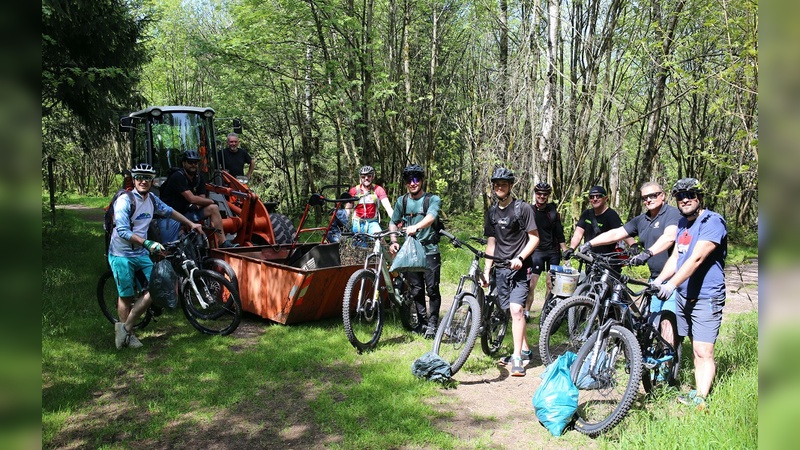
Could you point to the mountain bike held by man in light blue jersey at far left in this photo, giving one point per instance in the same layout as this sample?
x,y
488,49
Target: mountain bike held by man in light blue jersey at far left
x,y
209,296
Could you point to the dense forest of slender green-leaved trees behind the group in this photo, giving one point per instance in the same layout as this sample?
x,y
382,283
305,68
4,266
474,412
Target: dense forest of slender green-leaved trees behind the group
x,y
572,92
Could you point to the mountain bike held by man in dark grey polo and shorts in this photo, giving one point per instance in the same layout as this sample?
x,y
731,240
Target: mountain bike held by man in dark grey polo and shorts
x,y
473,312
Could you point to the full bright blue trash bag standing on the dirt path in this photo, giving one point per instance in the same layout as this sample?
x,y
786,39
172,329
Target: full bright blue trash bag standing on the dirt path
x,y
556,399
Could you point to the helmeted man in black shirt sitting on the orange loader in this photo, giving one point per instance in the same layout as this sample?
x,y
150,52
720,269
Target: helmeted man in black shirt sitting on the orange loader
x,y
185,190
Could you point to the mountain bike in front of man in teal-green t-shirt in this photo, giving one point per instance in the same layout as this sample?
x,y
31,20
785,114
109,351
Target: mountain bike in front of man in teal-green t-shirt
x,y
369,289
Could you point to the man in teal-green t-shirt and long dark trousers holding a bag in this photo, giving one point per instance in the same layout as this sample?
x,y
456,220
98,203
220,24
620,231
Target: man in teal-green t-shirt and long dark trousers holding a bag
x,y
411,214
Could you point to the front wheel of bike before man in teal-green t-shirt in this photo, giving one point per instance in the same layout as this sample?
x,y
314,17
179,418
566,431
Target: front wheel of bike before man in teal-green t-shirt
x,y
362,311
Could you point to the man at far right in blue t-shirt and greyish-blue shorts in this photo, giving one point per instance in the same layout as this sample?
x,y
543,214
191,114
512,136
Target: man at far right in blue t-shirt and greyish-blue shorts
x,y
695,271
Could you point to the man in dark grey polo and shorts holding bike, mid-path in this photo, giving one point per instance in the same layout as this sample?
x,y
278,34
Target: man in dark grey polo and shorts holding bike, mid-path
x,y
512,235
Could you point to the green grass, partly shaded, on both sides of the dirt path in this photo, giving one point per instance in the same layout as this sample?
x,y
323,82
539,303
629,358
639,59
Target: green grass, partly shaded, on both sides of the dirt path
x,y
302,385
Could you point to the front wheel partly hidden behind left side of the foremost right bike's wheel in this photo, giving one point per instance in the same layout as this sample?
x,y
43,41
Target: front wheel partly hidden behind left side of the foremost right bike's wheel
x,y
566,327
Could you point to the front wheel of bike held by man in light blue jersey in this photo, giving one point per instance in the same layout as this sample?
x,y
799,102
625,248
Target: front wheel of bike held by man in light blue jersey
x,y
217,309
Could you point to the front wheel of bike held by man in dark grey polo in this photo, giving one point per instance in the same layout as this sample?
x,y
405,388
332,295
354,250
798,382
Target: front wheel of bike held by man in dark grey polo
x,y
457,334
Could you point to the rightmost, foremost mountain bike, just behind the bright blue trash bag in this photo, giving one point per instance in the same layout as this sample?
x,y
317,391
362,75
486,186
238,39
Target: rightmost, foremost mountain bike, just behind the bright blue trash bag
x,y
625,349
